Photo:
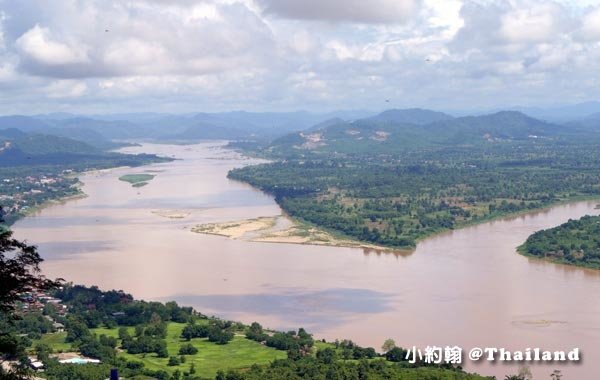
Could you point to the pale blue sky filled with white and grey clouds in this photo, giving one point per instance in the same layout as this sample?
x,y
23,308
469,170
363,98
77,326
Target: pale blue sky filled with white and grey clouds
x,y
215,55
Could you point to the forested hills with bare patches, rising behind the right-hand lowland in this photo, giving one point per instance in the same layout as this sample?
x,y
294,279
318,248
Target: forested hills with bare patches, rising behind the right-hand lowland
x,y
391,132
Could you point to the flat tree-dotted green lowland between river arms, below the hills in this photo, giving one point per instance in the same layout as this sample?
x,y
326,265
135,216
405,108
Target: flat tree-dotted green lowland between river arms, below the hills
x,y
396,200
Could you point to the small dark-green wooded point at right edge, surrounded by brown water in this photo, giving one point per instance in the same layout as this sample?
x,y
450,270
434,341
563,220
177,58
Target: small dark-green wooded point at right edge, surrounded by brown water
x,y
576,242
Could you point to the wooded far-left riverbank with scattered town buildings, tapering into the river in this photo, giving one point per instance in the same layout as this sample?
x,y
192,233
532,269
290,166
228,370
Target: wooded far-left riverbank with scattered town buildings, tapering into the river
x,y
36,169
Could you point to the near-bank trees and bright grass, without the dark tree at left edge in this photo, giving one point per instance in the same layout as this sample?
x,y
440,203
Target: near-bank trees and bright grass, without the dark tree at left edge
x,y
164,341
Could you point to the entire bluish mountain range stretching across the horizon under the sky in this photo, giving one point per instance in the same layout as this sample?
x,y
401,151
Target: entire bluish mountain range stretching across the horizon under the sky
x,y
343,131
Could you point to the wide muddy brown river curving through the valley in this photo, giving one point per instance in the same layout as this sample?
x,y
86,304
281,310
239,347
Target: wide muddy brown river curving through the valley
x,y
467,287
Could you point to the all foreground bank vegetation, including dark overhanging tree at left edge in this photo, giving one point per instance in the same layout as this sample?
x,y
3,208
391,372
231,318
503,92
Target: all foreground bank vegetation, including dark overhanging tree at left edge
x,y
152,340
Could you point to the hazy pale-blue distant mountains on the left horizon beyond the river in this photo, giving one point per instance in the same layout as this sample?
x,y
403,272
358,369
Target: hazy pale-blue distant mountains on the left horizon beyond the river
x,y
98,130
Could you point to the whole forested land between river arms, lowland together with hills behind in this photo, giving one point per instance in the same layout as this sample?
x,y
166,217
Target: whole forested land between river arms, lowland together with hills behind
x,y
394,194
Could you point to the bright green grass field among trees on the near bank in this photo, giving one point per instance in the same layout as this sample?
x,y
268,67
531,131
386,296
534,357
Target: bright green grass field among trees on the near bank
x,y
211,357
